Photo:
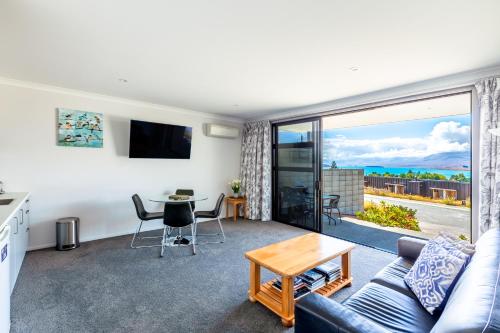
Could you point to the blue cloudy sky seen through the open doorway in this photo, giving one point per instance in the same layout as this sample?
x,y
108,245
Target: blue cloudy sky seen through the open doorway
x,y
374,144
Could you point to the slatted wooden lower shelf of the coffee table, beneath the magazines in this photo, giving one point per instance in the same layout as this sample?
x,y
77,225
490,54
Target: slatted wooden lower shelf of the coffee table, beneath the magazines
x,y
271,297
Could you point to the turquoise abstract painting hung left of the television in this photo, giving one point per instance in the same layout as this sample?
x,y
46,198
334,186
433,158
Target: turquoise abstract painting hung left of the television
x,y
79,128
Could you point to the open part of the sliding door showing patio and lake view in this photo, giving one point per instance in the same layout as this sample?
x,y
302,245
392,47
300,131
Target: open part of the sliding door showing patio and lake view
x,y
399,170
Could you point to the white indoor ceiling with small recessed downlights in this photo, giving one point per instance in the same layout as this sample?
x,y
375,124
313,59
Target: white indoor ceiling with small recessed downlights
x,y
243,58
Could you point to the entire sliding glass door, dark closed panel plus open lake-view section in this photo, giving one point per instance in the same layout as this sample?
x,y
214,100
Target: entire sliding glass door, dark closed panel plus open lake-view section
x,y
381,173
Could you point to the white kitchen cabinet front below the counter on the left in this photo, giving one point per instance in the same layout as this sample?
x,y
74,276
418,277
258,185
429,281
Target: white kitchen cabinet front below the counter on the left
x,y
19,238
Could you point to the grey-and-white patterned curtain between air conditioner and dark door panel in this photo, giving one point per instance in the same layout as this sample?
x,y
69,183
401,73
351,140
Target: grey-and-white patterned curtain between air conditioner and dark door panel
x,y
255,169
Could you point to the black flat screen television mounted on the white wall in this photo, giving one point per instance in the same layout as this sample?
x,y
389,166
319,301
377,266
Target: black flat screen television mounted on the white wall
x,y
155,140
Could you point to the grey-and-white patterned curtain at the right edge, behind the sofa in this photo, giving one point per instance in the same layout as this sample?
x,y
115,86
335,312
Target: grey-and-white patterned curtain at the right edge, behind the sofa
x,y
488,92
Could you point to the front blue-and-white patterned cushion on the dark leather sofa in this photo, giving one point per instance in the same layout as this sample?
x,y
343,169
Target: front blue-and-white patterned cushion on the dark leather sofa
x,y
433,275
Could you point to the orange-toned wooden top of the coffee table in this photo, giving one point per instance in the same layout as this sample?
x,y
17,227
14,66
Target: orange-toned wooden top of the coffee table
x,y
297,255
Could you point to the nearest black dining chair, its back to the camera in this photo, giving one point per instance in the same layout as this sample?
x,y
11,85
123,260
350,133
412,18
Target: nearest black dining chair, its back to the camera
x,y
177,215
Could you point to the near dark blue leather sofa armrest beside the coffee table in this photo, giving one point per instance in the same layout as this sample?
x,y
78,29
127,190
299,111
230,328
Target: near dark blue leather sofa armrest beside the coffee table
x,y
315,313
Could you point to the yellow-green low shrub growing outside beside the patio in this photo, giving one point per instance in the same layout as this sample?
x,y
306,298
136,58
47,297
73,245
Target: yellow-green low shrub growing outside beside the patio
x,y
389,215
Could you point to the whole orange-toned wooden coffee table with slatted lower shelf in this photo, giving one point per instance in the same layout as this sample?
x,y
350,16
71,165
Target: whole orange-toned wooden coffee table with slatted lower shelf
x,y
289,259
